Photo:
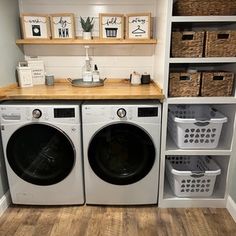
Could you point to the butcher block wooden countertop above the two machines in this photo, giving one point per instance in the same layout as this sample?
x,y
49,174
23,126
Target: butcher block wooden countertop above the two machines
x,y
62,89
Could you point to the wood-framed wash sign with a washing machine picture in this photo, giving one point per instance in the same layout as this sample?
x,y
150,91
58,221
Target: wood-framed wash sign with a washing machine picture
x,y
35,26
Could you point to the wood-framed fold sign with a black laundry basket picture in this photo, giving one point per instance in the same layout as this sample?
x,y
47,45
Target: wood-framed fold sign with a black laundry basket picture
x,y
111,26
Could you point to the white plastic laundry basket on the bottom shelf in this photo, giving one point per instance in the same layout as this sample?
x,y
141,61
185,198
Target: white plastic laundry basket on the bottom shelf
x,y
191,176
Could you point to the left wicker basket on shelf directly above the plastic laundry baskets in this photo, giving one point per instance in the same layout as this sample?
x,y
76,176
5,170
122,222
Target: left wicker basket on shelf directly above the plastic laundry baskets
x,y
184,84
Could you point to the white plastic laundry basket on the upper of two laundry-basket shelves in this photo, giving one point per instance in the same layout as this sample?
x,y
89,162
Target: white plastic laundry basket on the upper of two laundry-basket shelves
x,y
195,126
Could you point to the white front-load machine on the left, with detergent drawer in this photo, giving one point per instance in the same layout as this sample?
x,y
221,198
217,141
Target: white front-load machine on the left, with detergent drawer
x,y
43,154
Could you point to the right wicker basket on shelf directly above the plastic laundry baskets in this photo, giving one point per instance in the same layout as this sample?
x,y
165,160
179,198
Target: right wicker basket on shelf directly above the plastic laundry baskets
x,y
217,83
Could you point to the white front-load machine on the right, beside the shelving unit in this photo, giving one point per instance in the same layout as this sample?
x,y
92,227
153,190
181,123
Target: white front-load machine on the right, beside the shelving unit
x,y
121,152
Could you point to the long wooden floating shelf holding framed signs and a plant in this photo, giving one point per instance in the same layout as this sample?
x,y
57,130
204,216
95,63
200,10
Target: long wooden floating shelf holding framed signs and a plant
x,y
84,42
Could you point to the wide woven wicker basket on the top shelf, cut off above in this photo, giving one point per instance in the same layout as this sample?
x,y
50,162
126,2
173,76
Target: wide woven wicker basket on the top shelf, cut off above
x,y
204,7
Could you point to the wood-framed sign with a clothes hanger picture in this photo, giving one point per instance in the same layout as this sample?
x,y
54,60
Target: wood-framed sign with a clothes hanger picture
x,y
138,26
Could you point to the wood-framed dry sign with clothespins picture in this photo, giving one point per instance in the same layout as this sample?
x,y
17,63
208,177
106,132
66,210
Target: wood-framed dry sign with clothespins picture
x,y
62,26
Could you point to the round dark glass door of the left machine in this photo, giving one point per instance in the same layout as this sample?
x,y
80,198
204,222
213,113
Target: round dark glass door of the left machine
x,y
40,154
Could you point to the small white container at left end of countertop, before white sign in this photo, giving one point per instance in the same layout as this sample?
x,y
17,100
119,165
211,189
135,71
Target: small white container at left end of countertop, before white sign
x,y
24,75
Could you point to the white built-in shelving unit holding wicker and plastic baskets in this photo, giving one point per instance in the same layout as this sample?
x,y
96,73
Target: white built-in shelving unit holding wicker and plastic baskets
x,y
224,153
